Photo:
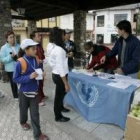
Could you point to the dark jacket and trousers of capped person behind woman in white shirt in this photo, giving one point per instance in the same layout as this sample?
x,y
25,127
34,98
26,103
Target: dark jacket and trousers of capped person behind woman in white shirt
x,y
70,60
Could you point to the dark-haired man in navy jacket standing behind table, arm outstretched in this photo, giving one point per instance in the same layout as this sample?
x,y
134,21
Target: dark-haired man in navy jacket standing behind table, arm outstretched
x,y
127,47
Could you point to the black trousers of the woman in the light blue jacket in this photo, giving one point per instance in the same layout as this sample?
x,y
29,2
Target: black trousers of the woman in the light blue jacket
x,y
13,85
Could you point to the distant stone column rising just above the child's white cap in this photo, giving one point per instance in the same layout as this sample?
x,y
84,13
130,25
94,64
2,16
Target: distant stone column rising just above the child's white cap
x,y
31,26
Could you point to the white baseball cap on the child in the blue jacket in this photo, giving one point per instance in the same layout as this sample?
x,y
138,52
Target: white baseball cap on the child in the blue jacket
x,y
27,42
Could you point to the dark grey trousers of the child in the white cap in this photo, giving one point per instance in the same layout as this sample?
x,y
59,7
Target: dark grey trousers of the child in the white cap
x,y
32,104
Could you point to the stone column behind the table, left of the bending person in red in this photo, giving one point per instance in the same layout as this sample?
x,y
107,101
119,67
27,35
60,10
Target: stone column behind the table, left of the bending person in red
x,y
79,32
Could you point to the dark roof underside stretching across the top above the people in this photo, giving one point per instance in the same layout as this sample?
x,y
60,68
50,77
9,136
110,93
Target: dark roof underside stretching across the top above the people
x,y
35,9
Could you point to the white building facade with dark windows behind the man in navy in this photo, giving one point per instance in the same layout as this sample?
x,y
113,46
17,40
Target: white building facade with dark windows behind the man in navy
x,y
105,30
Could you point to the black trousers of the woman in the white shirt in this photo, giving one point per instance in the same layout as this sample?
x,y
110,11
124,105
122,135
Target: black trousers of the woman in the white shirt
x,y
59,95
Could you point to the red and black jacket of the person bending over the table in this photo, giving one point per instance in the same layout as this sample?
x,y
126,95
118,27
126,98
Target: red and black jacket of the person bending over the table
x,y
98,53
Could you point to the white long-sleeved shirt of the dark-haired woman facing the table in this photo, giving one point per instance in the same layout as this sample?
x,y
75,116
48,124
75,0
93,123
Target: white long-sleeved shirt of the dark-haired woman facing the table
x,y
57,59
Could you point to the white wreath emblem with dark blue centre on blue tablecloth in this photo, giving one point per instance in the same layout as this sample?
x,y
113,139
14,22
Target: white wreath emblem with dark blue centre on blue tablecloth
x,y
87,93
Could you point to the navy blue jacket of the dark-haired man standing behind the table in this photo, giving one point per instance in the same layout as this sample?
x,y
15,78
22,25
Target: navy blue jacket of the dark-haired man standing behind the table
x,y
131,56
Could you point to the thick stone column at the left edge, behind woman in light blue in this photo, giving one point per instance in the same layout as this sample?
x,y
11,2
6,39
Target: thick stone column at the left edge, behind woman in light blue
x,y
5,24
